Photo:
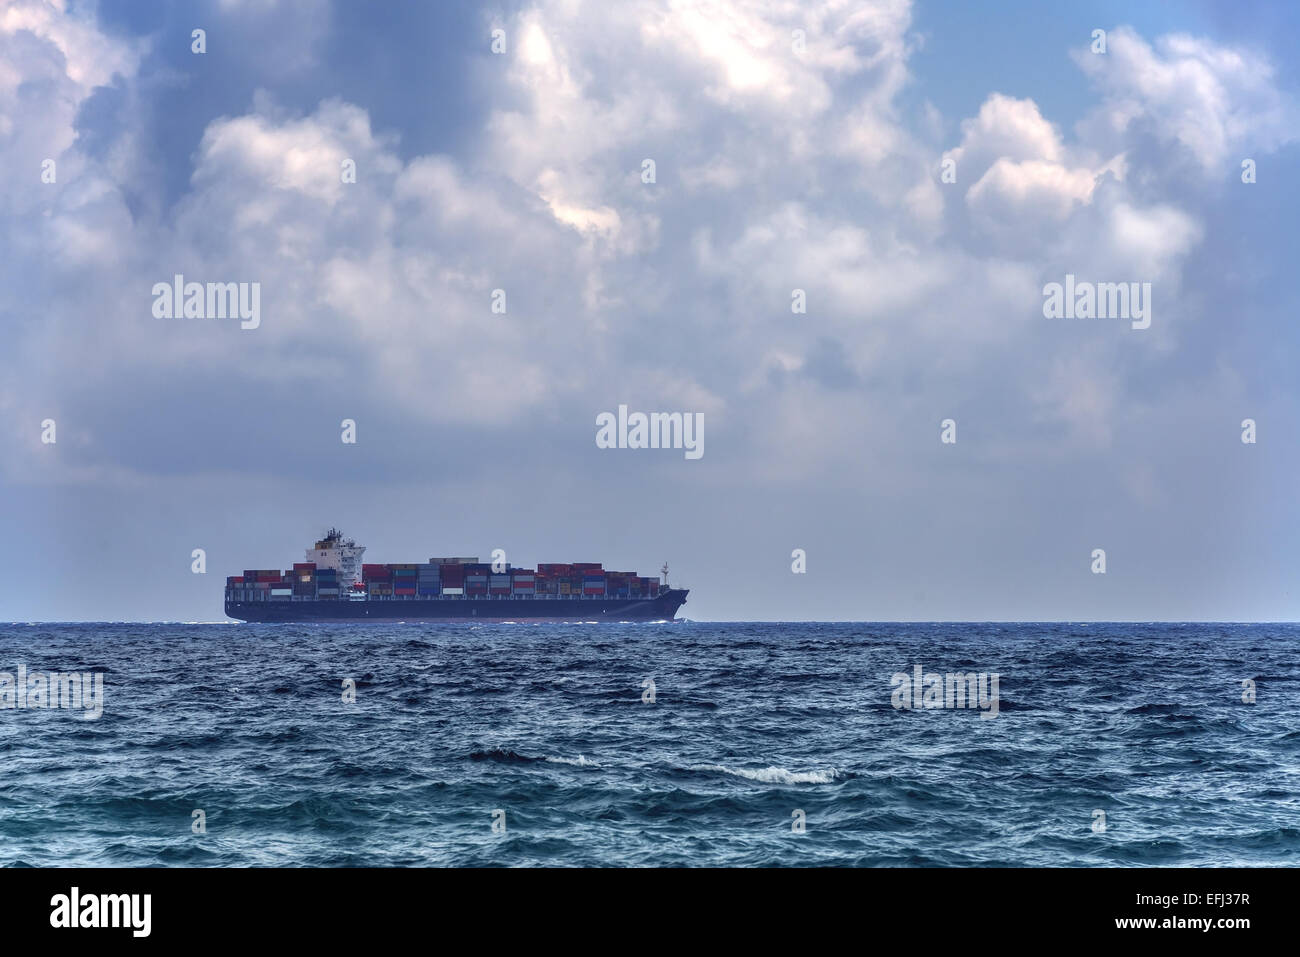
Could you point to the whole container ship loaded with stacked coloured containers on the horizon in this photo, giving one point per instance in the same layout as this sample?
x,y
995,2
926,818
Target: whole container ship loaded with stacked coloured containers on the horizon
x,y
336,586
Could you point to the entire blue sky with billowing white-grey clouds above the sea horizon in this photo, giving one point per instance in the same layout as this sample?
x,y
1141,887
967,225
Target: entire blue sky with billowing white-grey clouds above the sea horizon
x,y
916,174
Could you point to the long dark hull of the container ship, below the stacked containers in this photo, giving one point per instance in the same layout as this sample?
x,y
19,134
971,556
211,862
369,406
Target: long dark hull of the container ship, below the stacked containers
x,y
664,608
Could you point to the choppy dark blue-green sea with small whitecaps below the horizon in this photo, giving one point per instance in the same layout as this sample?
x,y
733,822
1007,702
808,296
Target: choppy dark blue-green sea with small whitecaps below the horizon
x,y
678,744
